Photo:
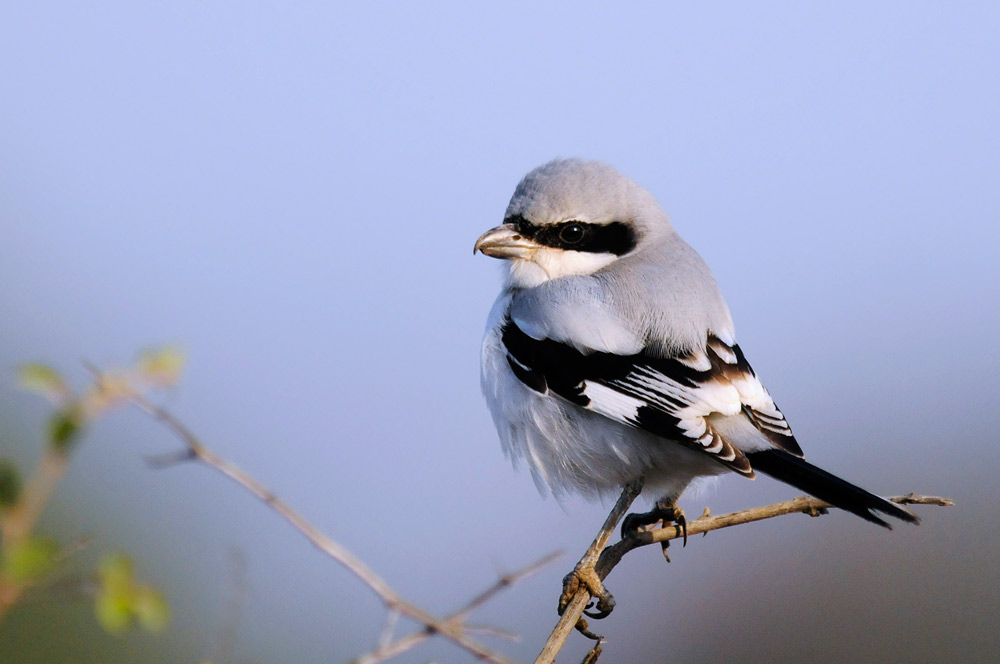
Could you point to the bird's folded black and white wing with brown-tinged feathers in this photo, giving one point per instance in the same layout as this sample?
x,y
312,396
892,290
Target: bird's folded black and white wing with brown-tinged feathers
x,y
672,397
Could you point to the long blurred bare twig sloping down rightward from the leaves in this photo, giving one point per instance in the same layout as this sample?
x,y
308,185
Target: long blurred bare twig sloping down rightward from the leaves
x,y
196,450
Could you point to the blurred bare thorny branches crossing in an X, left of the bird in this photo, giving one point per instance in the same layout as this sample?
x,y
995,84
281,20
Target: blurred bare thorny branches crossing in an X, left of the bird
x,y
452,627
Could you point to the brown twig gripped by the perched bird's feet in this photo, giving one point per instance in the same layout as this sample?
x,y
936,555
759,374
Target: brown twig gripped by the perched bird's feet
x,y
612,555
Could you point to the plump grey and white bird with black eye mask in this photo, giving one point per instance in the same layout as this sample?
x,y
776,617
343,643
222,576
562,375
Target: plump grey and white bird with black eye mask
x,y
610,355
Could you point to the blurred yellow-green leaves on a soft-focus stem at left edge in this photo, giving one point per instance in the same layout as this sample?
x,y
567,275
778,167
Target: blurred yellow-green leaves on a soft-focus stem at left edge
x,y
26,559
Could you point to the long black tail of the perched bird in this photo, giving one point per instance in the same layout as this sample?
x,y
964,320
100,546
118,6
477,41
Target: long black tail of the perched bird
x,y
790,469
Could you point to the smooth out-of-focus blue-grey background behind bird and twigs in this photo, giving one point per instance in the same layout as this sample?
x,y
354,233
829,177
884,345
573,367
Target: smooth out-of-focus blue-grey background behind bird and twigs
x,y
291,191
